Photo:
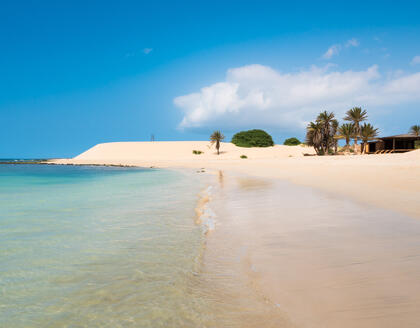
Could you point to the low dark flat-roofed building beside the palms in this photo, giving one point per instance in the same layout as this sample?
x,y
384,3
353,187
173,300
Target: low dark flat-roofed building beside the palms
x,y
394,144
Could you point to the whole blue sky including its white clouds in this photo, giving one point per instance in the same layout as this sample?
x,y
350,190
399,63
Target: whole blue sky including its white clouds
x,y
77,73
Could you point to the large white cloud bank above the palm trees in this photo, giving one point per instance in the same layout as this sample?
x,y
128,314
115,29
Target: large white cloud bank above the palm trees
x,y
259,96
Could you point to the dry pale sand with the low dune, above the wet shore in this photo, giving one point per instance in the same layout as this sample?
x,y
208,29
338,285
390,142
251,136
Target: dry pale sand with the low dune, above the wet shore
x,y
390,181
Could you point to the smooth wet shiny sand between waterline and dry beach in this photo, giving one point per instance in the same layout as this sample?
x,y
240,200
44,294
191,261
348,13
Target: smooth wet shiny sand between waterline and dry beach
x,y
320,260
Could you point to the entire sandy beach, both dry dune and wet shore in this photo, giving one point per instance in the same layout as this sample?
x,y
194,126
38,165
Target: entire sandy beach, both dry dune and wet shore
x,y
331,241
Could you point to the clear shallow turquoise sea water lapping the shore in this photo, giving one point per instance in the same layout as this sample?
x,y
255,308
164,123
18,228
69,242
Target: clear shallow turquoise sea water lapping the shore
x,y
99,247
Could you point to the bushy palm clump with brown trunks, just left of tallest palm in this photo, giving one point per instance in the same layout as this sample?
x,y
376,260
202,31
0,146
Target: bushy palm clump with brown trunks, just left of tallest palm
x,y
321,133
